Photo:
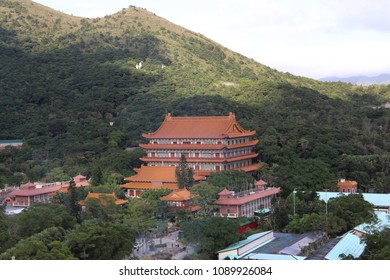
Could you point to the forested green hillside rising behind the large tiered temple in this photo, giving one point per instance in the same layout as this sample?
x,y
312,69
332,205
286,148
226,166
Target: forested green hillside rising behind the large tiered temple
x,y
63,79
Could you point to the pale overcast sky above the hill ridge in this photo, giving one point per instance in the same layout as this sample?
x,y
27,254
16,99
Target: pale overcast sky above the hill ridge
x,y
312,38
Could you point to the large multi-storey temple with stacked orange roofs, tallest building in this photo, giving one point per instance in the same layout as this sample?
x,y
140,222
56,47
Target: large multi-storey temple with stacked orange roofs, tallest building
x,y
210,144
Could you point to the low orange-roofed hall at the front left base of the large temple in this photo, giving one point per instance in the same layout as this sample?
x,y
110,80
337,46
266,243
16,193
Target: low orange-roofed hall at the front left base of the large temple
x,y
153,178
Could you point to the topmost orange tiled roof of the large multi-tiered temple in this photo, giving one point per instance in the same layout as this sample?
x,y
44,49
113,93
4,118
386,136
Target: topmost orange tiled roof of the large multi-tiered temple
x,y
199,127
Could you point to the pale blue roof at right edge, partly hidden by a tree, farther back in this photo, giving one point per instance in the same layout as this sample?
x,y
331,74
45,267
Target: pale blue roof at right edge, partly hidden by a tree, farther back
x,y
381,201
